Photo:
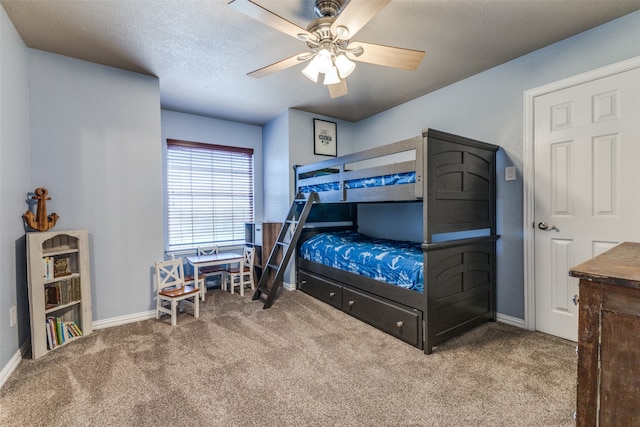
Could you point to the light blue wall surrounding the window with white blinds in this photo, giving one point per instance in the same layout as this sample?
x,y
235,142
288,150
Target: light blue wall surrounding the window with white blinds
x,y
187,127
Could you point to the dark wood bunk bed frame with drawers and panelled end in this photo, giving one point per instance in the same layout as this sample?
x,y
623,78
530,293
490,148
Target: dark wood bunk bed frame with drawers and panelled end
x,y
456,183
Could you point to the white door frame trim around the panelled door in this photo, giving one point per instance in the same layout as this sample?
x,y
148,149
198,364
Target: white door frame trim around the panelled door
x,y
528,172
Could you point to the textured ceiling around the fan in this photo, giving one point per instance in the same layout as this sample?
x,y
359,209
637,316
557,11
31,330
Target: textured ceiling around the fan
x,y
202,50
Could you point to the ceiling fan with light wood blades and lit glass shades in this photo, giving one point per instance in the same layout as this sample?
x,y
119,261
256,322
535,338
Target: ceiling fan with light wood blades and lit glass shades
x,y
328,37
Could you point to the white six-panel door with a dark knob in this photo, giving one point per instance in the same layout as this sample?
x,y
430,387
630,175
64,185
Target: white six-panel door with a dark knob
x,y
587,186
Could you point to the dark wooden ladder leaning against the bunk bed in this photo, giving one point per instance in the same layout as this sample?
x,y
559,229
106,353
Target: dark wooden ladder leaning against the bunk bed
x,y
285,245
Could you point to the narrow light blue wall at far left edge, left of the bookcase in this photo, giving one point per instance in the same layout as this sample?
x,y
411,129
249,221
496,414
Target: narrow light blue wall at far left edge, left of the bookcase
x,y
14,180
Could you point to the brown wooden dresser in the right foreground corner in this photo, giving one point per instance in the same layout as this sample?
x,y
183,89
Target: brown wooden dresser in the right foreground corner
x,y
609,338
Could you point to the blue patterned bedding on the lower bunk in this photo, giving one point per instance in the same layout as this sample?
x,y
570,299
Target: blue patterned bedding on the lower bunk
x,y
396,262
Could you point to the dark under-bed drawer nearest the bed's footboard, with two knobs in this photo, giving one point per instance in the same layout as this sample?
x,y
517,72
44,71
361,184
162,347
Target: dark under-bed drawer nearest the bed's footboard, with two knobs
x,y
394,319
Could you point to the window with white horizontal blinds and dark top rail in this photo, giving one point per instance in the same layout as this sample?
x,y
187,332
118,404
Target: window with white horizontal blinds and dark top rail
x,y
209,194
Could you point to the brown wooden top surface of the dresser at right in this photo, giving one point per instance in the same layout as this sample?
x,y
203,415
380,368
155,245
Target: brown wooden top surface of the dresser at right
x,y
619,265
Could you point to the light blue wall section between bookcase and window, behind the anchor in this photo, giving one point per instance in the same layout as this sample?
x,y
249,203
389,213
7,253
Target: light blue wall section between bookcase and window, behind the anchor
x,y
95,144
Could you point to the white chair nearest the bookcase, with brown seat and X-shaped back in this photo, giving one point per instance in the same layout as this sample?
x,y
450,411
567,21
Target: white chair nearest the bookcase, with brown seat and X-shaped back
x,y
173,290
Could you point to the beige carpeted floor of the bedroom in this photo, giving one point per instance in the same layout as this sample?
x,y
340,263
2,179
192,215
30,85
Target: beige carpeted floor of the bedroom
x,y
299,363
